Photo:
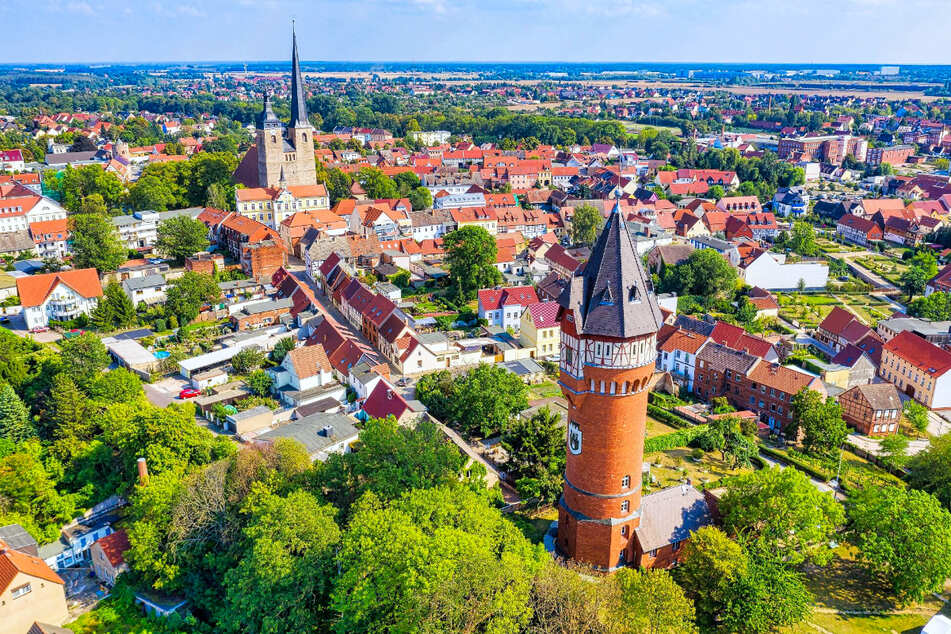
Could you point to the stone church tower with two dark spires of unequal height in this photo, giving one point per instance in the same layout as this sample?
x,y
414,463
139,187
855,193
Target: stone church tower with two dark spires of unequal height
x,y
286,156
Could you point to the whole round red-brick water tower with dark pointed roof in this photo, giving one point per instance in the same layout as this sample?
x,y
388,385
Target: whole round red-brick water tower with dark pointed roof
x,y
608,346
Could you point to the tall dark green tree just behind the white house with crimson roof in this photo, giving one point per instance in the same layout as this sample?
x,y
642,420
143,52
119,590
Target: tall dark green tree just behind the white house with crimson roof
x,y
470,258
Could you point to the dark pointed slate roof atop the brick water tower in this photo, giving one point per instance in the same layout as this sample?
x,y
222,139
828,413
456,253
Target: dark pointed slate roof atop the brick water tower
x,y
612,296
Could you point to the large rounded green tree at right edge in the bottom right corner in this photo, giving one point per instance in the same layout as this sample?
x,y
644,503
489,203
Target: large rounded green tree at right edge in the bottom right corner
x,y
904,535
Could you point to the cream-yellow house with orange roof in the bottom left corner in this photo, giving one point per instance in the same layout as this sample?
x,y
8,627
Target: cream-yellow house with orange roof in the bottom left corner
x,y
29,592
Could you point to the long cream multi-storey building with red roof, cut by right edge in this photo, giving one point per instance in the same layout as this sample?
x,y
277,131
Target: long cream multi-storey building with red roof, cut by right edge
x,y
918,368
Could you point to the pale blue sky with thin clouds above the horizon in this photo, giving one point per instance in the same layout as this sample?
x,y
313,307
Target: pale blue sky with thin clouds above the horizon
x,y
748,31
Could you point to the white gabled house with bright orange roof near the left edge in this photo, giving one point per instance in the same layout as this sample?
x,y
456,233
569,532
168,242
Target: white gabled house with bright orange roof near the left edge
x,y
58,296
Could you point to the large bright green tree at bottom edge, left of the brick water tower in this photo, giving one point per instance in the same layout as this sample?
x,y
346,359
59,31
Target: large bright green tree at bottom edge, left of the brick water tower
x,y
470,569
